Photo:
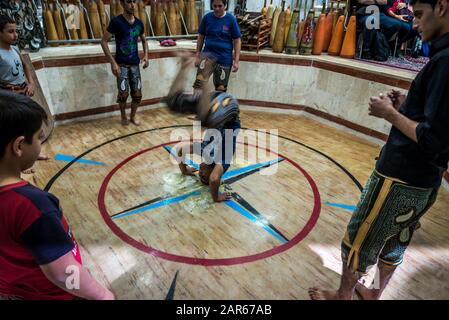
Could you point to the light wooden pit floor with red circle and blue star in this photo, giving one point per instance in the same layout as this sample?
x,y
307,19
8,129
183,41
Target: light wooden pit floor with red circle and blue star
x,y
280,239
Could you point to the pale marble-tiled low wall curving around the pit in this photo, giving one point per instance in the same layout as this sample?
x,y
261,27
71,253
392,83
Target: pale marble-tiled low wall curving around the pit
x,y
77,88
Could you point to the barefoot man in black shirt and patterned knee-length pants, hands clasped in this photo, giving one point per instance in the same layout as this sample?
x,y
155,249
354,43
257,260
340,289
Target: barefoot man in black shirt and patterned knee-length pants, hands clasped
x,y
410,168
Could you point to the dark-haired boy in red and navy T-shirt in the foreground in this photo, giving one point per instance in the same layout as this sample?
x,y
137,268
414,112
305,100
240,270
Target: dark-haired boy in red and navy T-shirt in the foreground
x,y
39,257
